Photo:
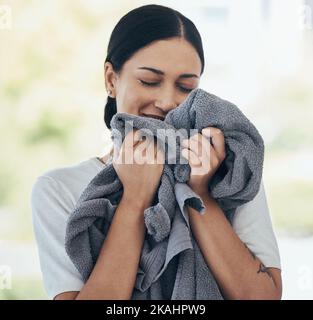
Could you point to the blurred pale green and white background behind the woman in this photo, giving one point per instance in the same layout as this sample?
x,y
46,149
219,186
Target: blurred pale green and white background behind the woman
x,y
52,96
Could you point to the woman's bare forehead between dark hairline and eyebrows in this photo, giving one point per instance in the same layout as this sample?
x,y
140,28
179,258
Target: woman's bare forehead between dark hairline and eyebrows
x,y
173,56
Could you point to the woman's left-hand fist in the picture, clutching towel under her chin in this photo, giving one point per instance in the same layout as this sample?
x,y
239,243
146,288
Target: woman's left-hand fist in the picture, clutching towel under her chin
x,y
139,164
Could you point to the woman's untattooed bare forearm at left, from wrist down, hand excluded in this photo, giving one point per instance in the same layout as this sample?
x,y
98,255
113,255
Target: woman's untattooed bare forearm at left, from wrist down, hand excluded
x,y
115,271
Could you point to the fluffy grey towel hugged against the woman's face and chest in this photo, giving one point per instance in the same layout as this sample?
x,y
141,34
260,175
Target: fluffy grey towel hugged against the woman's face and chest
x,y
171,263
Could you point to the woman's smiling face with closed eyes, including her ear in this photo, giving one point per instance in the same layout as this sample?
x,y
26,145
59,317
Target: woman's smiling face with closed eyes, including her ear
x,y
156,79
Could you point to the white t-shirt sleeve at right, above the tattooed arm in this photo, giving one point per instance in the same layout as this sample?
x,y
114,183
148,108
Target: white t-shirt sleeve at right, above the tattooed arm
x,y
253,224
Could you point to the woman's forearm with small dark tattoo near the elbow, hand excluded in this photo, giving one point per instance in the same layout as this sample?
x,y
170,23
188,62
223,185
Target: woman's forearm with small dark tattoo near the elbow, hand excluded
x,y
239,274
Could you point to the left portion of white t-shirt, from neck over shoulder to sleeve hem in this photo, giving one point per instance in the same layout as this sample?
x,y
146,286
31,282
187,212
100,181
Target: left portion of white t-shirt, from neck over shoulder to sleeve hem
x,y
53,197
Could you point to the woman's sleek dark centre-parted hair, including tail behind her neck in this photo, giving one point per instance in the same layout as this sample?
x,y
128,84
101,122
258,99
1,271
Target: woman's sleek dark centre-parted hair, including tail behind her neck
x,y
138,28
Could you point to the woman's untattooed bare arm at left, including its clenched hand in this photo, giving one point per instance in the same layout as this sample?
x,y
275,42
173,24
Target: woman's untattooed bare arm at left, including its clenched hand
x,y
115,271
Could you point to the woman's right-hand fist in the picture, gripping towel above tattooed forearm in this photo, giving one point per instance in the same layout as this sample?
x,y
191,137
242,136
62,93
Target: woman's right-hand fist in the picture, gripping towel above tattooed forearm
x,y
203,158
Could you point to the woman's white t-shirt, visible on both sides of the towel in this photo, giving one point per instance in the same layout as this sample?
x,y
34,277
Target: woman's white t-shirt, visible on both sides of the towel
x,y
55,193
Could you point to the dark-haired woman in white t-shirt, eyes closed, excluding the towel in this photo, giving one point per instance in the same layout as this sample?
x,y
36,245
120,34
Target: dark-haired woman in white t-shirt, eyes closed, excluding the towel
x,y
154,59
